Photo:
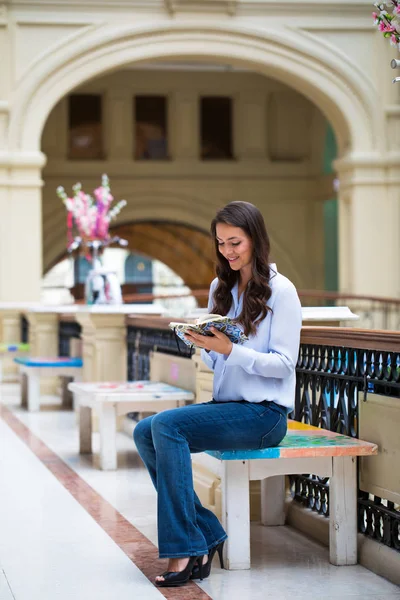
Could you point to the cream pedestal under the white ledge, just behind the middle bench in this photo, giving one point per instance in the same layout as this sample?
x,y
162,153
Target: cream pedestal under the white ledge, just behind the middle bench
x,y
104,349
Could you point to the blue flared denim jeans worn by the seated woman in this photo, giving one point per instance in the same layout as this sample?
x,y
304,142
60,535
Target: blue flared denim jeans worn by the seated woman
x,y
165,441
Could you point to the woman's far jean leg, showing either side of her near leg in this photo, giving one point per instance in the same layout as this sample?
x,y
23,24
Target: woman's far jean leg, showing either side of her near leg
x,y
208,523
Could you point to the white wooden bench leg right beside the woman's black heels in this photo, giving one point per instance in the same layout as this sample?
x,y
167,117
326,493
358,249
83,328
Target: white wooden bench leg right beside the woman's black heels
x,y
236,513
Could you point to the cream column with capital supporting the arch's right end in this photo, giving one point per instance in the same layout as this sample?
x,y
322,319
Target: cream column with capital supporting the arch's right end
x,y
368,228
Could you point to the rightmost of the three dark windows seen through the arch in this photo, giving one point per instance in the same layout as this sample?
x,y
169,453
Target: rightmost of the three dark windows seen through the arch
x,y
216,128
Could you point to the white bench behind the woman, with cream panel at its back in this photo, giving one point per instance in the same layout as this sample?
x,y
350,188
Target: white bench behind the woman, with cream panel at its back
x,y
112,399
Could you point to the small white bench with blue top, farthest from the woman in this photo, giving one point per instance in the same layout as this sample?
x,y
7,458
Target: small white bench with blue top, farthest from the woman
x,y
34,368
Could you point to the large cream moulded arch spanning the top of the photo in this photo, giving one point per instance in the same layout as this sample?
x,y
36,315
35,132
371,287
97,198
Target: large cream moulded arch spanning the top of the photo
x,y
317,70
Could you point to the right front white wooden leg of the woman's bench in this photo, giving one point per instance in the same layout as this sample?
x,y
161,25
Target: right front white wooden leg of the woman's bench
x,y
343,511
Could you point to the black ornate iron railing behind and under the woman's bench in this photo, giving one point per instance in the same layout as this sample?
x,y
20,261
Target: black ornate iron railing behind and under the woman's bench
x,y
330,382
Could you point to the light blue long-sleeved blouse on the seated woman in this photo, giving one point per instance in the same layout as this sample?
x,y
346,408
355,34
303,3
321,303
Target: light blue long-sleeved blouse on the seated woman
x,y
263,368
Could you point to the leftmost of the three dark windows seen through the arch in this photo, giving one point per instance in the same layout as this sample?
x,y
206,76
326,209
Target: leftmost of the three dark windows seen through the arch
x,y
85,127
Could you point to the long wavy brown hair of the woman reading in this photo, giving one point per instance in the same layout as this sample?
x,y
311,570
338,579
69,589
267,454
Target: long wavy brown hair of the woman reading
x,y
258,291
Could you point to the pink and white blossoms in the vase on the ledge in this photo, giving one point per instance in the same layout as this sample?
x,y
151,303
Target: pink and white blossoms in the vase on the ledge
x,y
91,216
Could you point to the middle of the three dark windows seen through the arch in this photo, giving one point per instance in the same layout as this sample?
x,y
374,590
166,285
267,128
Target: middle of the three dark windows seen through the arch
x,y
151,137
